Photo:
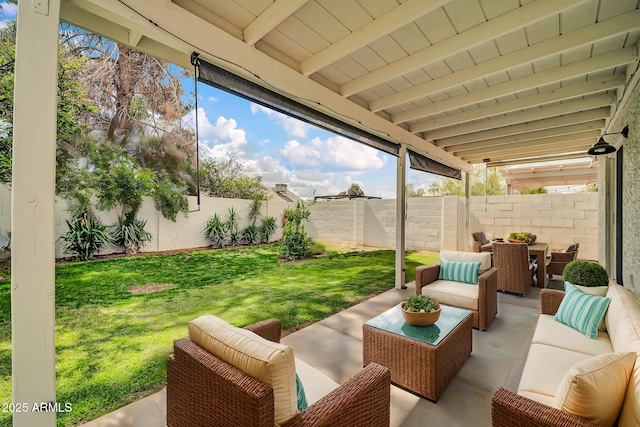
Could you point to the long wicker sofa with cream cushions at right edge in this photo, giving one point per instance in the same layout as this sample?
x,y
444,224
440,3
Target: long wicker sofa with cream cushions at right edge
x,y
558,351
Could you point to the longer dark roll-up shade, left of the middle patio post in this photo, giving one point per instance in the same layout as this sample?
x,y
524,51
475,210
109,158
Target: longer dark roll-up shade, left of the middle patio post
x,y
217,77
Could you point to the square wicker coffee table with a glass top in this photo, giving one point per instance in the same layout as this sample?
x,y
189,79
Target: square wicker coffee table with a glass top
x,y
422,359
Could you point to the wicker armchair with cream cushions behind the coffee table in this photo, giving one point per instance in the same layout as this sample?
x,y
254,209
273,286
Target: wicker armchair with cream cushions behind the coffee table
x,y
481,299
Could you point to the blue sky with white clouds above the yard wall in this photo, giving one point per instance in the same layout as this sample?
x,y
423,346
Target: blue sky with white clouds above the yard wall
x,y
284,150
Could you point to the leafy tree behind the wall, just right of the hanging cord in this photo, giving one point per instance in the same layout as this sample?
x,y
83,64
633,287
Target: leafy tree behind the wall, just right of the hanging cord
x,y
227,178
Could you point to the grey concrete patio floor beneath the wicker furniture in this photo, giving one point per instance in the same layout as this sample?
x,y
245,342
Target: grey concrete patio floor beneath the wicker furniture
x,y
334,346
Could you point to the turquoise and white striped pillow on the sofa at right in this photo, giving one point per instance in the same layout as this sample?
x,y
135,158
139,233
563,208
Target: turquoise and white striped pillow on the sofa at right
x,y
583,312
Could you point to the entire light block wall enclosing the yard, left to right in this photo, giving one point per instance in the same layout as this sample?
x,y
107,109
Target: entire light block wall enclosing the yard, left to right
x,y
433,223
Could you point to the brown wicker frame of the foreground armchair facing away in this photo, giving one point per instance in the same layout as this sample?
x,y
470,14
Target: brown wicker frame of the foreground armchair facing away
x,y
202,390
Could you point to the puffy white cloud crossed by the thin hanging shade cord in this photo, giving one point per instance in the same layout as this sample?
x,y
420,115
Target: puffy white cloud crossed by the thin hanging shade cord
x,y
219,139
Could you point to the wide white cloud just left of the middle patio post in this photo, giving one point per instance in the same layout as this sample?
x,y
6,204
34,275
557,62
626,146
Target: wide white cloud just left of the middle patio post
x,y
335,153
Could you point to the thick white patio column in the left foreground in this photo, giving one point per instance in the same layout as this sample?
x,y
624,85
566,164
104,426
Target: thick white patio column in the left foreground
x,y
32,211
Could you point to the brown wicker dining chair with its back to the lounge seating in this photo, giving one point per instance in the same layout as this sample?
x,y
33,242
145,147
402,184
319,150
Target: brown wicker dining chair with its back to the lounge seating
x,y
515,271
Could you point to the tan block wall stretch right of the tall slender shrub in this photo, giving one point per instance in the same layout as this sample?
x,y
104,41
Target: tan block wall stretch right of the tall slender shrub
x,y
435,223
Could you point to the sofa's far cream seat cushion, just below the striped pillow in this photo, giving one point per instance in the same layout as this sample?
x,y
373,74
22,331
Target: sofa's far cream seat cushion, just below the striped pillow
x,y
551,332
